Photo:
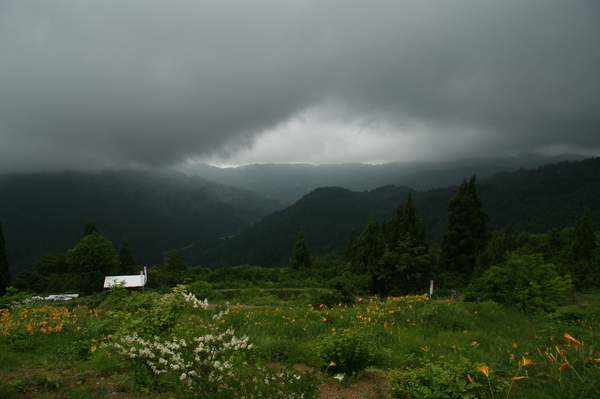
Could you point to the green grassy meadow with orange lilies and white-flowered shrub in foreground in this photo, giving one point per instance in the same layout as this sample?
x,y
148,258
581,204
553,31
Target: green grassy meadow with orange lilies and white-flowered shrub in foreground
x,y
426,348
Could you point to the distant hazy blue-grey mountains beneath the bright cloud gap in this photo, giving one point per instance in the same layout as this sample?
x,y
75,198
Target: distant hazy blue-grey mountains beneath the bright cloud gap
x,y
289,182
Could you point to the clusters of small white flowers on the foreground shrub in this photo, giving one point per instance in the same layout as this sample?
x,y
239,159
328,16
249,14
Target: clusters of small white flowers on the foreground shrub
x,y
206,363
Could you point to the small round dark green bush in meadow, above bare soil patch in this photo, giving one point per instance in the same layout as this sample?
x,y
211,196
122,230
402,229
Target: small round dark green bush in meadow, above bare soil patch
x,y
348,352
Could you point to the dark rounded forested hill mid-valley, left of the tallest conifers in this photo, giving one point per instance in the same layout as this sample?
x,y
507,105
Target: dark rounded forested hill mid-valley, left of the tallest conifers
x,y
326,216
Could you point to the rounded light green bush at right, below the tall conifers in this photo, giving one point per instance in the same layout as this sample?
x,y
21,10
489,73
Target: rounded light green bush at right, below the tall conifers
x,y
525,281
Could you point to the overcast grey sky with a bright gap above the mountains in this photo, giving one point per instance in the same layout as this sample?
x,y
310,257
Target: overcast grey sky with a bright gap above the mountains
x,y
96,83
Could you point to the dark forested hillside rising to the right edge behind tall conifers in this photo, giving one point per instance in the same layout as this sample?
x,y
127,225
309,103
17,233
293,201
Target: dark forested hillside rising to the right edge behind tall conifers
x,y
535,201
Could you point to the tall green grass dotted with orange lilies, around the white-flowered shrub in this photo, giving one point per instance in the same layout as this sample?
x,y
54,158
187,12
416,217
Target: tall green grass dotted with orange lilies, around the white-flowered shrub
x,y
420,342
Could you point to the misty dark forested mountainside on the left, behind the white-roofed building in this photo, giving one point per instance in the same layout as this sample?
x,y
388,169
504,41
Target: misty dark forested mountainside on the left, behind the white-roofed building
x,y
156,211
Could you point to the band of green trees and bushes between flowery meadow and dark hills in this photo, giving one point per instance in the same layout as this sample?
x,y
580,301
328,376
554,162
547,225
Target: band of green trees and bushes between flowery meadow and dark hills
x,y
389,257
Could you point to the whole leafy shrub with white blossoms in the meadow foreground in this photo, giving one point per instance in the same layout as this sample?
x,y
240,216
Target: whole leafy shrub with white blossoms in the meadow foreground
x,y
204,361
